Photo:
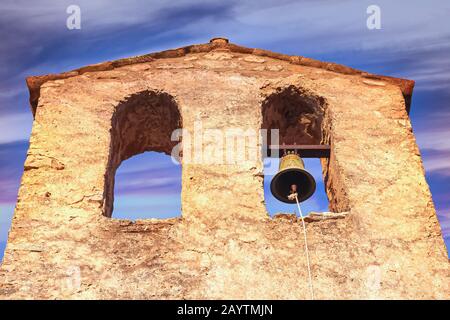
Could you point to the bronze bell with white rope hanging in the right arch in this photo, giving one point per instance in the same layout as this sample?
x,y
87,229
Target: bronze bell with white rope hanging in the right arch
x,y
292,177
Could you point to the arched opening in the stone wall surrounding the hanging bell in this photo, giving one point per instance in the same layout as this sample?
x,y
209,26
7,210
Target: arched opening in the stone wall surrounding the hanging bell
x,y
301,118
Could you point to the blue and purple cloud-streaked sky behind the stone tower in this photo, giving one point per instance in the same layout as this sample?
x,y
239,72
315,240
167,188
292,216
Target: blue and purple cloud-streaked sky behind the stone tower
x,y
414,43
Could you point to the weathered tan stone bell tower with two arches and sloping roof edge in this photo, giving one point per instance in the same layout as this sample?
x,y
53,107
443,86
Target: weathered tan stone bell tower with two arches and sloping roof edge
x,y
63,243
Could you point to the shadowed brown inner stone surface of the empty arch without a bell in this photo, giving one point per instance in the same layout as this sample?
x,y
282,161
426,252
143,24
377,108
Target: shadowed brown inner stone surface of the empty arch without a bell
x,y
142,122
